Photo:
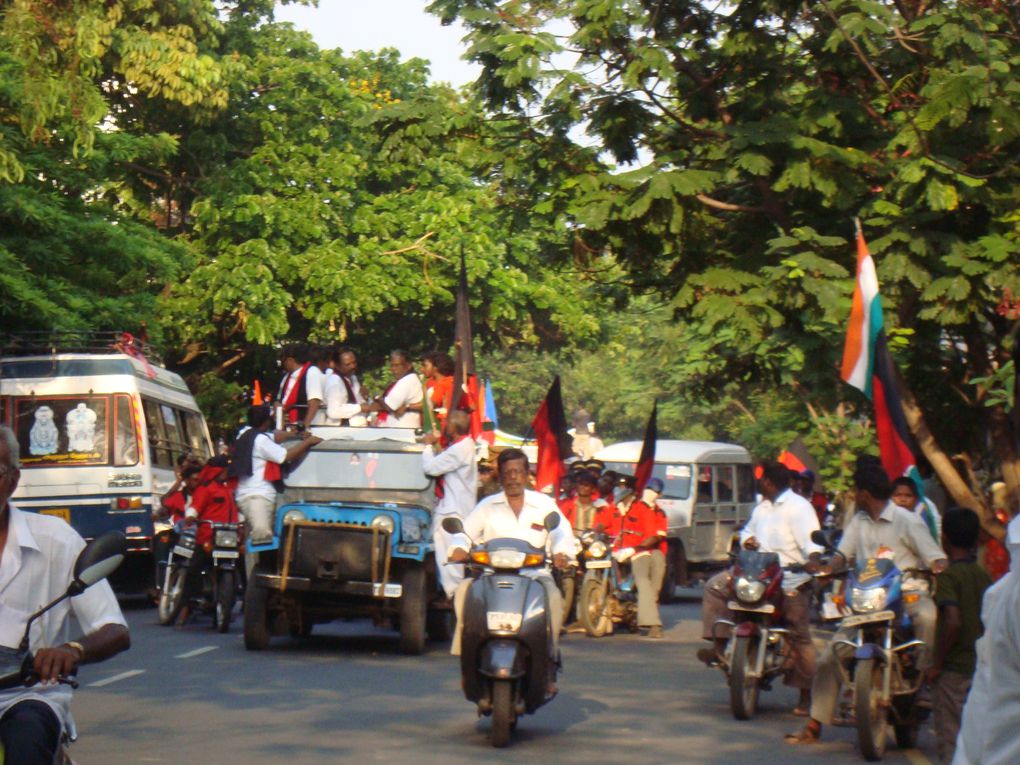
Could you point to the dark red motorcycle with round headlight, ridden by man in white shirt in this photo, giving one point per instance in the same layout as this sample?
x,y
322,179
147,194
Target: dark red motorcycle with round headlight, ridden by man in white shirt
x,y
759,646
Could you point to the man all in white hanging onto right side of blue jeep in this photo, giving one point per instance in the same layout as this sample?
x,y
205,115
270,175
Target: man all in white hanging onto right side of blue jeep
x,y
458,468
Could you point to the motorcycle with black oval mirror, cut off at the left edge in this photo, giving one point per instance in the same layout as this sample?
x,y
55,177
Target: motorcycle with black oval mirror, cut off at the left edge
x,y
97,560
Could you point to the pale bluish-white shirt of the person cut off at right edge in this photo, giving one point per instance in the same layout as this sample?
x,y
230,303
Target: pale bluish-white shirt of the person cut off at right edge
x,y
989,734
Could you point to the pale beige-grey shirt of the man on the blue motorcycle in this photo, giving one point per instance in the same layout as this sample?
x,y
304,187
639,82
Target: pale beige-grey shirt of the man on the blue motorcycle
x,y
901,531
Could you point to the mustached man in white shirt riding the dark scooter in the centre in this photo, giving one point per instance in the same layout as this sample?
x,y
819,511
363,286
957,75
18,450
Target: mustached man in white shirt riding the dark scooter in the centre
x,y
520,514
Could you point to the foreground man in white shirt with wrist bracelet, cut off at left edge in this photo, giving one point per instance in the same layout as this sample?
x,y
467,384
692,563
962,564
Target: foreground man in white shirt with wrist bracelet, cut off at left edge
x,y
37,562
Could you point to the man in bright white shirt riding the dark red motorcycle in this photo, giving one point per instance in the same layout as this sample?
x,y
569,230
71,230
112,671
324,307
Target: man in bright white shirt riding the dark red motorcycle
x,y
783,524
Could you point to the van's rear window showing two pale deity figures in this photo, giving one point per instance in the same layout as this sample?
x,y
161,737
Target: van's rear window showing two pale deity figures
x,y
63,430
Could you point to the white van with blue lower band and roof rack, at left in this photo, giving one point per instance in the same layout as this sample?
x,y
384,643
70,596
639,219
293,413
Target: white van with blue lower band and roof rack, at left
x,y
99,430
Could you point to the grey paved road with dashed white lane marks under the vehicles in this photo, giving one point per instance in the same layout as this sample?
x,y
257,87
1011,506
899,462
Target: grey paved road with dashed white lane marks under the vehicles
x,y
197,697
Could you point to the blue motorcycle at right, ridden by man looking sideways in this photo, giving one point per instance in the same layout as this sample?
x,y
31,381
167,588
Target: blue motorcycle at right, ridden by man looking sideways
x,y
882,659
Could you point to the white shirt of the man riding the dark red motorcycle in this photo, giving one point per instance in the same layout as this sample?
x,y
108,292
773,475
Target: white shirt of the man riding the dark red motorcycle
x,y
785,528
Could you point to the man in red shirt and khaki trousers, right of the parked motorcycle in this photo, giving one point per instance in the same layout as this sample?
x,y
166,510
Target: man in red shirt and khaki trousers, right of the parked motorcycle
x,y
642,542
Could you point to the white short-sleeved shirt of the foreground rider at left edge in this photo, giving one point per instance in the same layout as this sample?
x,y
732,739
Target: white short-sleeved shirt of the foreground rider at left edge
x,y
36,569
